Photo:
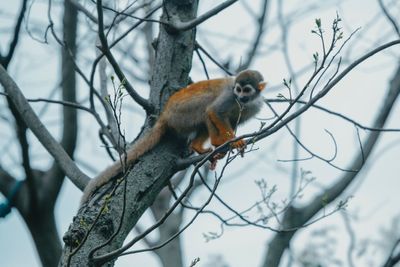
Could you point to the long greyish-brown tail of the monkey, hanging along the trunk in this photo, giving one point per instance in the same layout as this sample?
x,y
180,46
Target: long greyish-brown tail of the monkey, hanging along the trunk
x,y
144,144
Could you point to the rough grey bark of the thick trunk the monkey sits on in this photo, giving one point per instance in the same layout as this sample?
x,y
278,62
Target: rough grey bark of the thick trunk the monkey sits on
x,y
149,175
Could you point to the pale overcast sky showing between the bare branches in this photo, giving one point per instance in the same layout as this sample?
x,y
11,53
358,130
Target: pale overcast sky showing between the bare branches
x,y
375,196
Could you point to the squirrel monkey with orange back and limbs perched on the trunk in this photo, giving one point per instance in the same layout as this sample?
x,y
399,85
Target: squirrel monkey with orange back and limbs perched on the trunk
x,y
206,109
